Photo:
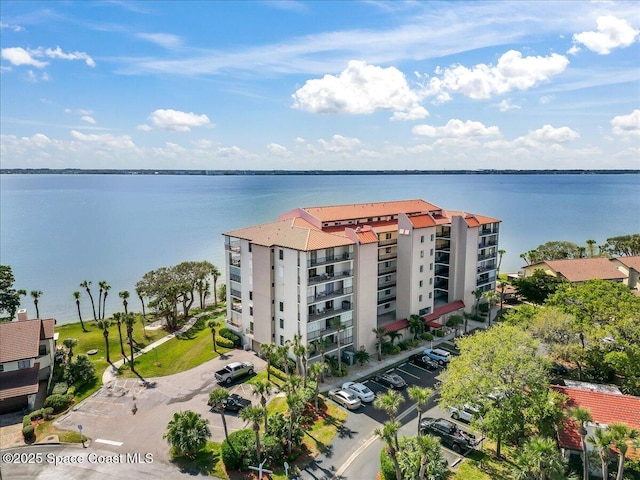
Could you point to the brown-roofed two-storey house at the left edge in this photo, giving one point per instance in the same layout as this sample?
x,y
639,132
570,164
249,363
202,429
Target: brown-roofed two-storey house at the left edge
x,y
27,355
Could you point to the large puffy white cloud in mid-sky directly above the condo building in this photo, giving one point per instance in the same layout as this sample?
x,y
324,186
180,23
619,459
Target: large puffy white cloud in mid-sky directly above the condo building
x,y
360,89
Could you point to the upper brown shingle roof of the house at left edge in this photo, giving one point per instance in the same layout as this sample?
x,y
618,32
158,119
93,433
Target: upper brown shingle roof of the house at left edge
x,y
20,340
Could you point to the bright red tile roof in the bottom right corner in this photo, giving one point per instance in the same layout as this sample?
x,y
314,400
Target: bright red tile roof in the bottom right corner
x,y
605,408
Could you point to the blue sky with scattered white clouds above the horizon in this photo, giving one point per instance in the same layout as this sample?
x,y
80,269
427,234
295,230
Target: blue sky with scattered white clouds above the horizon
x,y
320,85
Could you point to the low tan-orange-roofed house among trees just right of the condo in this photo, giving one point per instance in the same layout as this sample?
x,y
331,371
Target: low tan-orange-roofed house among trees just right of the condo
x,y
579,270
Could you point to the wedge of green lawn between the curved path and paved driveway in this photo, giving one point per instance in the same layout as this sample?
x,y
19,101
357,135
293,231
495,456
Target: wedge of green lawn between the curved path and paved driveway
x,y
181,353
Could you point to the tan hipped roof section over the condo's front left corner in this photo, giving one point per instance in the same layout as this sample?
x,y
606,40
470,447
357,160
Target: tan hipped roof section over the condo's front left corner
x,y
286,233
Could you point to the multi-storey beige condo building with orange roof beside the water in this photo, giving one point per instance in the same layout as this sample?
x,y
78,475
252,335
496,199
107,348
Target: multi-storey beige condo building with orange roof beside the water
x,y
320,272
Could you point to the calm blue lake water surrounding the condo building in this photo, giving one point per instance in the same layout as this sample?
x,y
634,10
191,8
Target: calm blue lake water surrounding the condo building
x,y
58,230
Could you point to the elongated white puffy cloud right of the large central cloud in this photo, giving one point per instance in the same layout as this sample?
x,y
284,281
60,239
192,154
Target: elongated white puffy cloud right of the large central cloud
x,y
513,72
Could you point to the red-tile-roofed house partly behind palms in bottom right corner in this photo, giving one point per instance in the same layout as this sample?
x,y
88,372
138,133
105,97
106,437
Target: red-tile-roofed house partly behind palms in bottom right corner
x,y
606,404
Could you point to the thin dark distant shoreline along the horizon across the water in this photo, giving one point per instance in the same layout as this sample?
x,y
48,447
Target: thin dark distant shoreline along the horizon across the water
x,y
77,171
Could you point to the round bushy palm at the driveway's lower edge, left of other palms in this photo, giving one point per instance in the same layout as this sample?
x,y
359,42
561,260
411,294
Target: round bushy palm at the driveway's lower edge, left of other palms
x,y
187,432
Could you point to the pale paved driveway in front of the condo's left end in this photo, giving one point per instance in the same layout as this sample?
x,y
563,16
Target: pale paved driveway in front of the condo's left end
x,y
108,420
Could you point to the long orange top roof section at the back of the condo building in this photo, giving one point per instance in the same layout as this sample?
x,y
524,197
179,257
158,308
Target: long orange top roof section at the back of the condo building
x,y
369,210
